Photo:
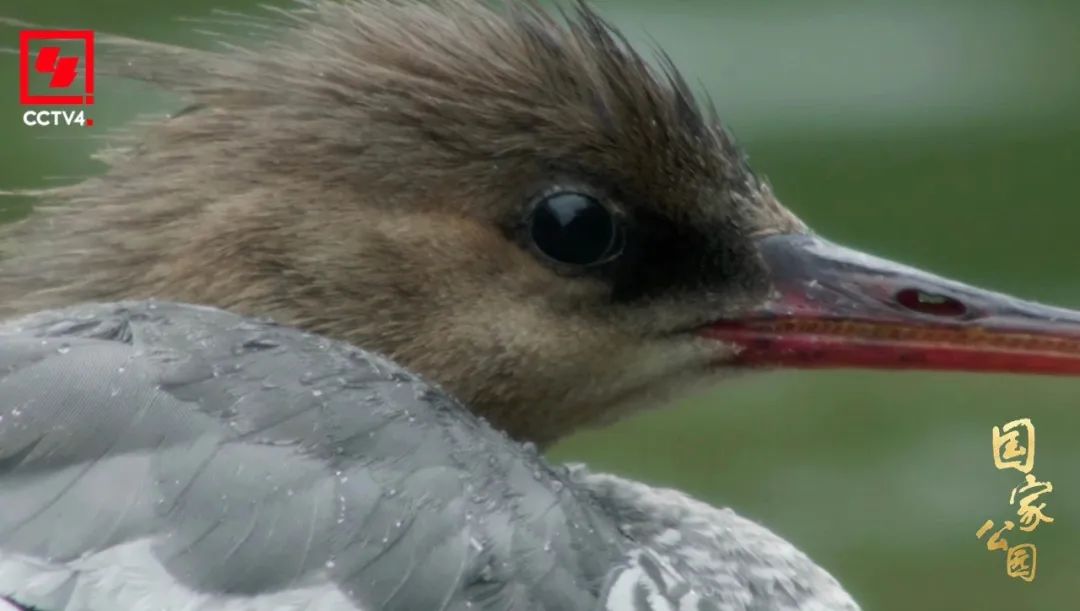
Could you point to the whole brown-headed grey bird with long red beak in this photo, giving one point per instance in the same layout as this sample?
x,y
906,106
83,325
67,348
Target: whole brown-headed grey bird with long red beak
x,y
303,345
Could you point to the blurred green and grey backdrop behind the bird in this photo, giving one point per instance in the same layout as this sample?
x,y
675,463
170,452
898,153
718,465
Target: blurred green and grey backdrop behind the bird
x,y
943,134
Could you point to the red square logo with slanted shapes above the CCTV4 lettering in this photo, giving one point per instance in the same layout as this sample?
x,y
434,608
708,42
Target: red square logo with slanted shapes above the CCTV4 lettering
x,y
63,71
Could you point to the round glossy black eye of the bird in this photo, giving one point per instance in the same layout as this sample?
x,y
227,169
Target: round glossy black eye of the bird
x,y
575,229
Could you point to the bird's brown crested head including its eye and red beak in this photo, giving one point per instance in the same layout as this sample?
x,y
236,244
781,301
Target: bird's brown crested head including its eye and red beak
x,y
514,203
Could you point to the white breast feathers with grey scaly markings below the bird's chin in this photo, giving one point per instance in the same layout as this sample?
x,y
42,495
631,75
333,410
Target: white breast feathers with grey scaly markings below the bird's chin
x,y
701,559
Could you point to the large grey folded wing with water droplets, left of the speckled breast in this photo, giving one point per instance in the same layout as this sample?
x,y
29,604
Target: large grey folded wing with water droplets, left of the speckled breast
x,y
166,456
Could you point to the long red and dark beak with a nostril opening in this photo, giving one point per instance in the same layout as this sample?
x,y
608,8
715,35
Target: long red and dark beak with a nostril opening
x,y
834,307
